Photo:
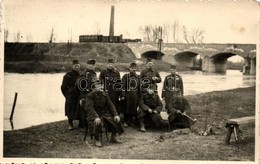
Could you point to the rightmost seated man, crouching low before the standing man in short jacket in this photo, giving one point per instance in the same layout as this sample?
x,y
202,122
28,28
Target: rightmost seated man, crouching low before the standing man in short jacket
x,y
177,110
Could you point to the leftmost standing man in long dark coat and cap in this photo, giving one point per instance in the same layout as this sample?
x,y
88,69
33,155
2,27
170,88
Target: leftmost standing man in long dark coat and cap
x,y
68,90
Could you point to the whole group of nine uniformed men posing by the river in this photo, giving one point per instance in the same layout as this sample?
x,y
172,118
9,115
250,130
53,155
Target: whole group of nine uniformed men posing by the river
x,y
119,103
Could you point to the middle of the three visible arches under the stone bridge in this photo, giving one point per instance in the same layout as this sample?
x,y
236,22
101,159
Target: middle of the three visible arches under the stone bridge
x,y
185,58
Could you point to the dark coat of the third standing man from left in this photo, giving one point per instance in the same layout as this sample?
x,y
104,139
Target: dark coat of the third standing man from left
x,y
112,84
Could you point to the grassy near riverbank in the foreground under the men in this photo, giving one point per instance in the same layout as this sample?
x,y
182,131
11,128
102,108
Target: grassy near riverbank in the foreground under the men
x,y
53,140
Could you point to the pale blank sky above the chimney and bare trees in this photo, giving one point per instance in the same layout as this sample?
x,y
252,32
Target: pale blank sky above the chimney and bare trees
x,y
223,21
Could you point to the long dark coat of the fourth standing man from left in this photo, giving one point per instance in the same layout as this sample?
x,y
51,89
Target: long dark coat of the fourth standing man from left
x,y
131,92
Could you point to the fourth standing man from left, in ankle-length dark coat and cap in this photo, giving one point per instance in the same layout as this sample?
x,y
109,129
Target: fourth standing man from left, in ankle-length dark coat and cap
x,y
130,94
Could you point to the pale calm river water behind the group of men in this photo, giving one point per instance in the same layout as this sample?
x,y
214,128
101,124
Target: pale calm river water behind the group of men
x,y
40,99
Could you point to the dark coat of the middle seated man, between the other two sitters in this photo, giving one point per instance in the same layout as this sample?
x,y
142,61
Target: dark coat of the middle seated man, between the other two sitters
x,y
153,102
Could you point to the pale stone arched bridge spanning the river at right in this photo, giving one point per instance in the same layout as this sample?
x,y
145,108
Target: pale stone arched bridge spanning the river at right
x,y
213,56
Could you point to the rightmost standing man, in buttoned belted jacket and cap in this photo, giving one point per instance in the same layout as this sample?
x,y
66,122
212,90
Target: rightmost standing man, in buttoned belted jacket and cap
x,y
172,86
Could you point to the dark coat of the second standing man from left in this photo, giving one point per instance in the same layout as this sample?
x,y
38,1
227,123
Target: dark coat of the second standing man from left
x,y
85,84
